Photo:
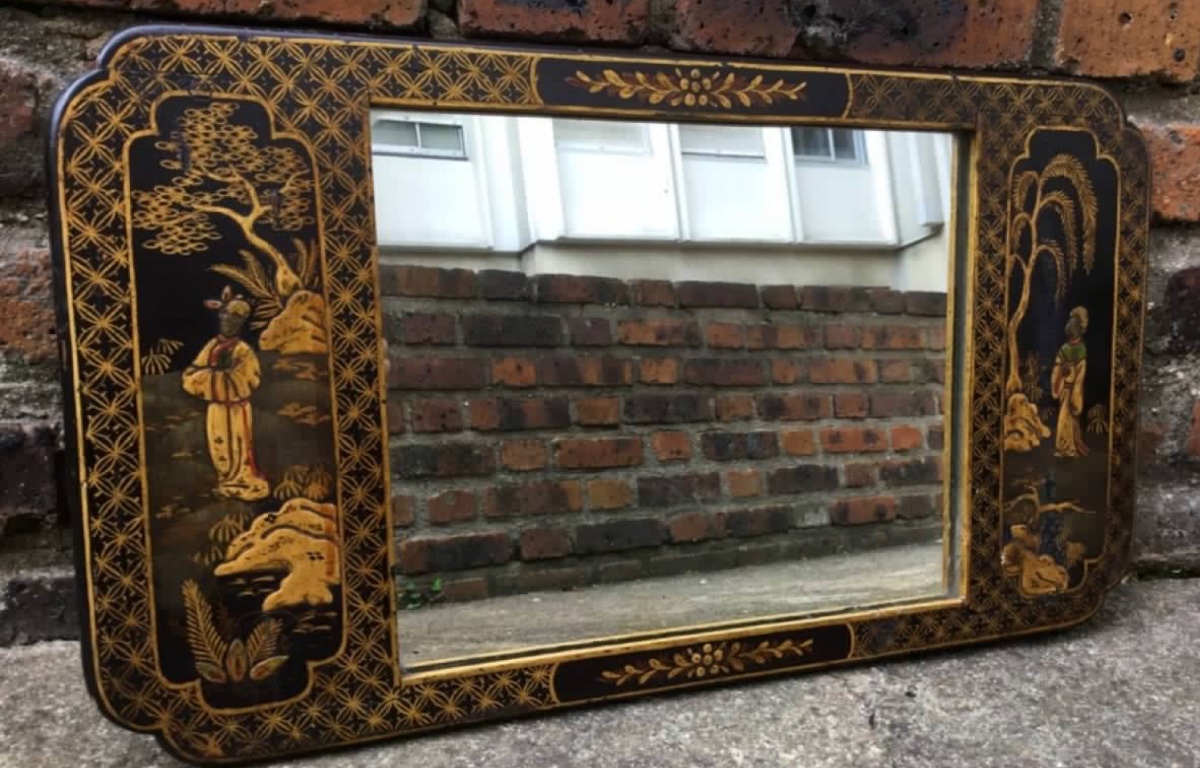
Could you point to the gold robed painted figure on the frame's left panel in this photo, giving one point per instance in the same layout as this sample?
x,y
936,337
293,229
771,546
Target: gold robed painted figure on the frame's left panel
x,y
225,374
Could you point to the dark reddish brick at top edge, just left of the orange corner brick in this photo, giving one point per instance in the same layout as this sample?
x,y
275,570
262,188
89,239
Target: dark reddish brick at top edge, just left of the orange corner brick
x,y
916,33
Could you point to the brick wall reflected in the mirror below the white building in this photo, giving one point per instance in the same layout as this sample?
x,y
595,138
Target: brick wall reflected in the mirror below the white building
x,y
548,428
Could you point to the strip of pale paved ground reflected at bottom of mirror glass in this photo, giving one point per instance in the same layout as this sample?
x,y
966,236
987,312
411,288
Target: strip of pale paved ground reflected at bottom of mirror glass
x,y
833,583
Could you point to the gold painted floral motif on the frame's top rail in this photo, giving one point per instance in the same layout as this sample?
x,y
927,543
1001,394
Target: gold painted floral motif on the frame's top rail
x,y
694,88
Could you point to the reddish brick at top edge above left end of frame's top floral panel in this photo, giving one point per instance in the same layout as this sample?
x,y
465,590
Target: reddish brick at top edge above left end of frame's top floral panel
x,y
556,20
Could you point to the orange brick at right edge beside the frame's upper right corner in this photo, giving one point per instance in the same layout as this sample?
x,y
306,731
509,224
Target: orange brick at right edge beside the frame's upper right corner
x,y
1175,189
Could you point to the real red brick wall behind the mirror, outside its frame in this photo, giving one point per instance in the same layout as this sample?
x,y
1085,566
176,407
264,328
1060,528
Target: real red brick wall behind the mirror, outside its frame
x,y
1148,52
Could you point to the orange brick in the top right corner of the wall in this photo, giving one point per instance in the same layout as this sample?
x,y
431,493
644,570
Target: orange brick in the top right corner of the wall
x,y
1143,38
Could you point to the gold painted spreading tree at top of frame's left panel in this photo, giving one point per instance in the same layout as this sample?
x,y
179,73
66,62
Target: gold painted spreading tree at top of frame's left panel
x,y
226,171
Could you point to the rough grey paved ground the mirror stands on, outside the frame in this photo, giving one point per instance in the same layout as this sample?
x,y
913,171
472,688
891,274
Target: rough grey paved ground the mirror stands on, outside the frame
x,y
1123,692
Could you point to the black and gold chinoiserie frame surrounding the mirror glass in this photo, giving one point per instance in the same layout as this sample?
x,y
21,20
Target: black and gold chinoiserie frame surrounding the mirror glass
x,y
1035,149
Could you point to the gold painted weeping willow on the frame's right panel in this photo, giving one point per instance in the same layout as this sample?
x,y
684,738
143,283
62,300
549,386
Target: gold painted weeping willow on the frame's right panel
x,y
1054,224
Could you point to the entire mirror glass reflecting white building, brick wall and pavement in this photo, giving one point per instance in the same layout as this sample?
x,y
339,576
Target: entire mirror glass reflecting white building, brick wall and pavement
x,y
649,377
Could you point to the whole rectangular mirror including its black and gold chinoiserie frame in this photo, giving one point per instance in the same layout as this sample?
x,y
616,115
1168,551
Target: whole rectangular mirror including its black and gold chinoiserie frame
x,y
411,386
